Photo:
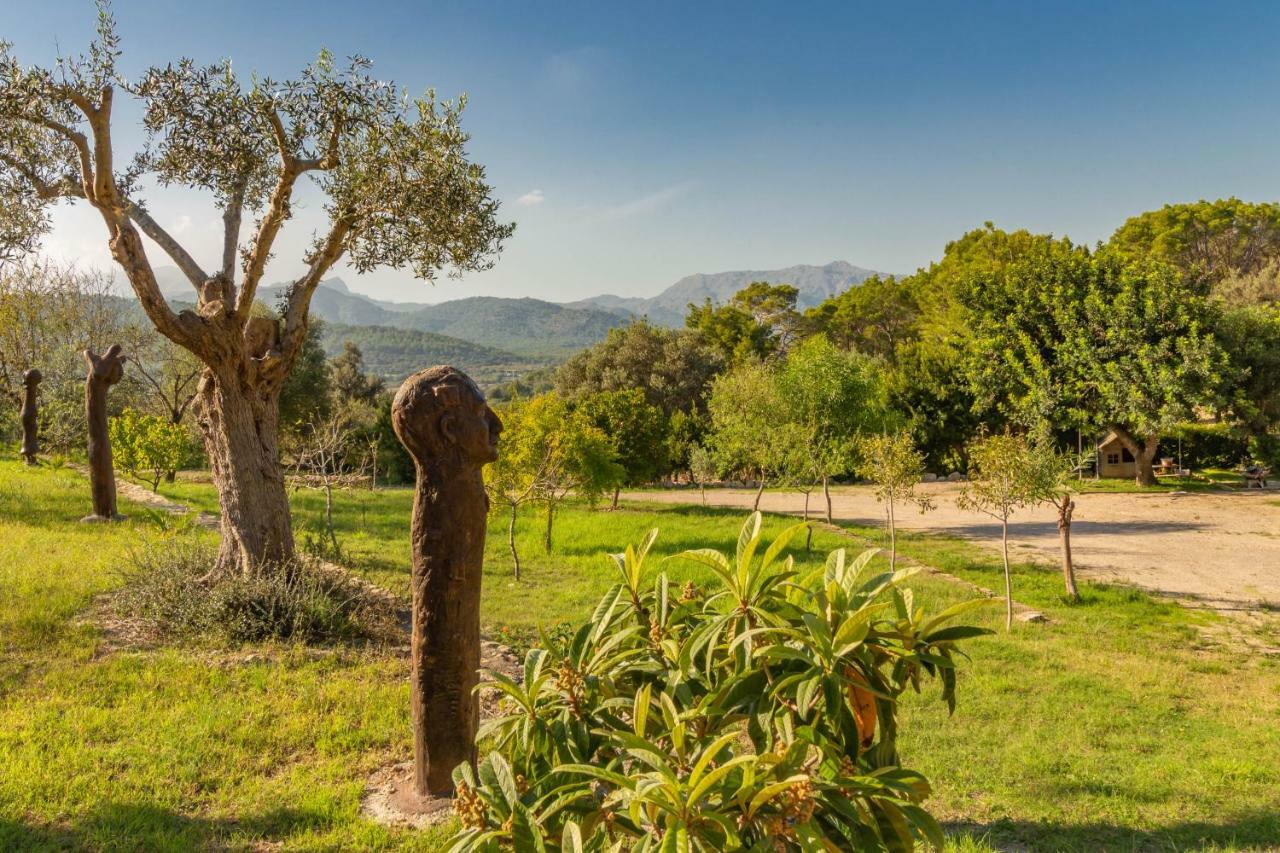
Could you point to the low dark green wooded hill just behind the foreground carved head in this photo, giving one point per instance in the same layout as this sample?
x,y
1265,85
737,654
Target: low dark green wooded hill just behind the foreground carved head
x,y
394,354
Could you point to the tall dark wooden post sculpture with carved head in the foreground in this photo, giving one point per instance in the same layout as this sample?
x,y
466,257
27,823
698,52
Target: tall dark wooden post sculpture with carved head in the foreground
x,y
442,419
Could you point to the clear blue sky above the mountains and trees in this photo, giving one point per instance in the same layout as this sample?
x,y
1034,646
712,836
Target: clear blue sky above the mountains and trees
x,y
639,143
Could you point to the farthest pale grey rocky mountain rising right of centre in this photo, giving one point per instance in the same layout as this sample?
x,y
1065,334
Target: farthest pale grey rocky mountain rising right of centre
x,y
816,284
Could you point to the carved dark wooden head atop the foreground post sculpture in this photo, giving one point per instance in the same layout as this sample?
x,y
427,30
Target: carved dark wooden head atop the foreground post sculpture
x,y
441,414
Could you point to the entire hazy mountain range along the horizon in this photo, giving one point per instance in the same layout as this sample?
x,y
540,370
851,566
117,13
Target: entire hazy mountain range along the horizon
x,y
510,336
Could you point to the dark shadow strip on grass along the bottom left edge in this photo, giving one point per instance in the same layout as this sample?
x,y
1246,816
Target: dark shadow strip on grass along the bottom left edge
x,y
143,827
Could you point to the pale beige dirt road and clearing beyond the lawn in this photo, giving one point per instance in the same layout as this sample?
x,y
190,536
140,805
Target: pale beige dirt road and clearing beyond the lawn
x,y
1218,549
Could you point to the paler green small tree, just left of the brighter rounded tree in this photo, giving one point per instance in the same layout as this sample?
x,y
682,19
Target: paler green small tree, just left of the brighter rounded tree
x,y
749,432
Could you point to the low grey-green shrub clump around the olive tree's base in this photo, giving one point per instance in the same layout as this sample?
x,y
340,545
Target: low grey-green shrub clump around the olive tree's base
x,y
168,587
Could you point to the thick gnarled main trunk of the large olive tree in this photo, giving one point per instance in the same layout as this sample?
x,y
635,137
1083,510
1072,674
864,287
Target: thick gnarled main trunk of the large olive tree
x,y
240,427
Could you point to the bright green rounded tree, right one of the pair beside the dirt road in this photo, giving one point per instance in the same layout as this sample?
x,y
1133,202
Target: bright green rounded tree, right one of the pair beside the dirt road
x,y
834,398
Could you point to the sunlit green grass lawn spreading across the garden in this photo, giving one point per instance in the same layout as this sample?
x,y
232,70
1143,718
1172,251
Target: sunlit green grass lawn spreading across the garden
x,y
1121,726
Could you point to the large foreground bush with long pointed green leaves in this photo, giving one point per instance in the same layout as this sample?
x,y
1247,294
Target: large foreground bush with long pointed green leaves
x,y
760,715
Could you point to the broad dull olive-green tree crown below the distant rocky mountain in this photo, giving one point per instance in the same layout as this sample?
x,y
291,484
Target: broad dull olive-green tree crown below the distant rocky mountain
x,y
674,368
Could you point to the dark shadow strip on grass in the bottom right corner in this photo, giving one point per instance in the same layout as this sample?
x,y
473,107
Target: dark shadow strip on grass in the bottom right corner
x,y
1255,831
